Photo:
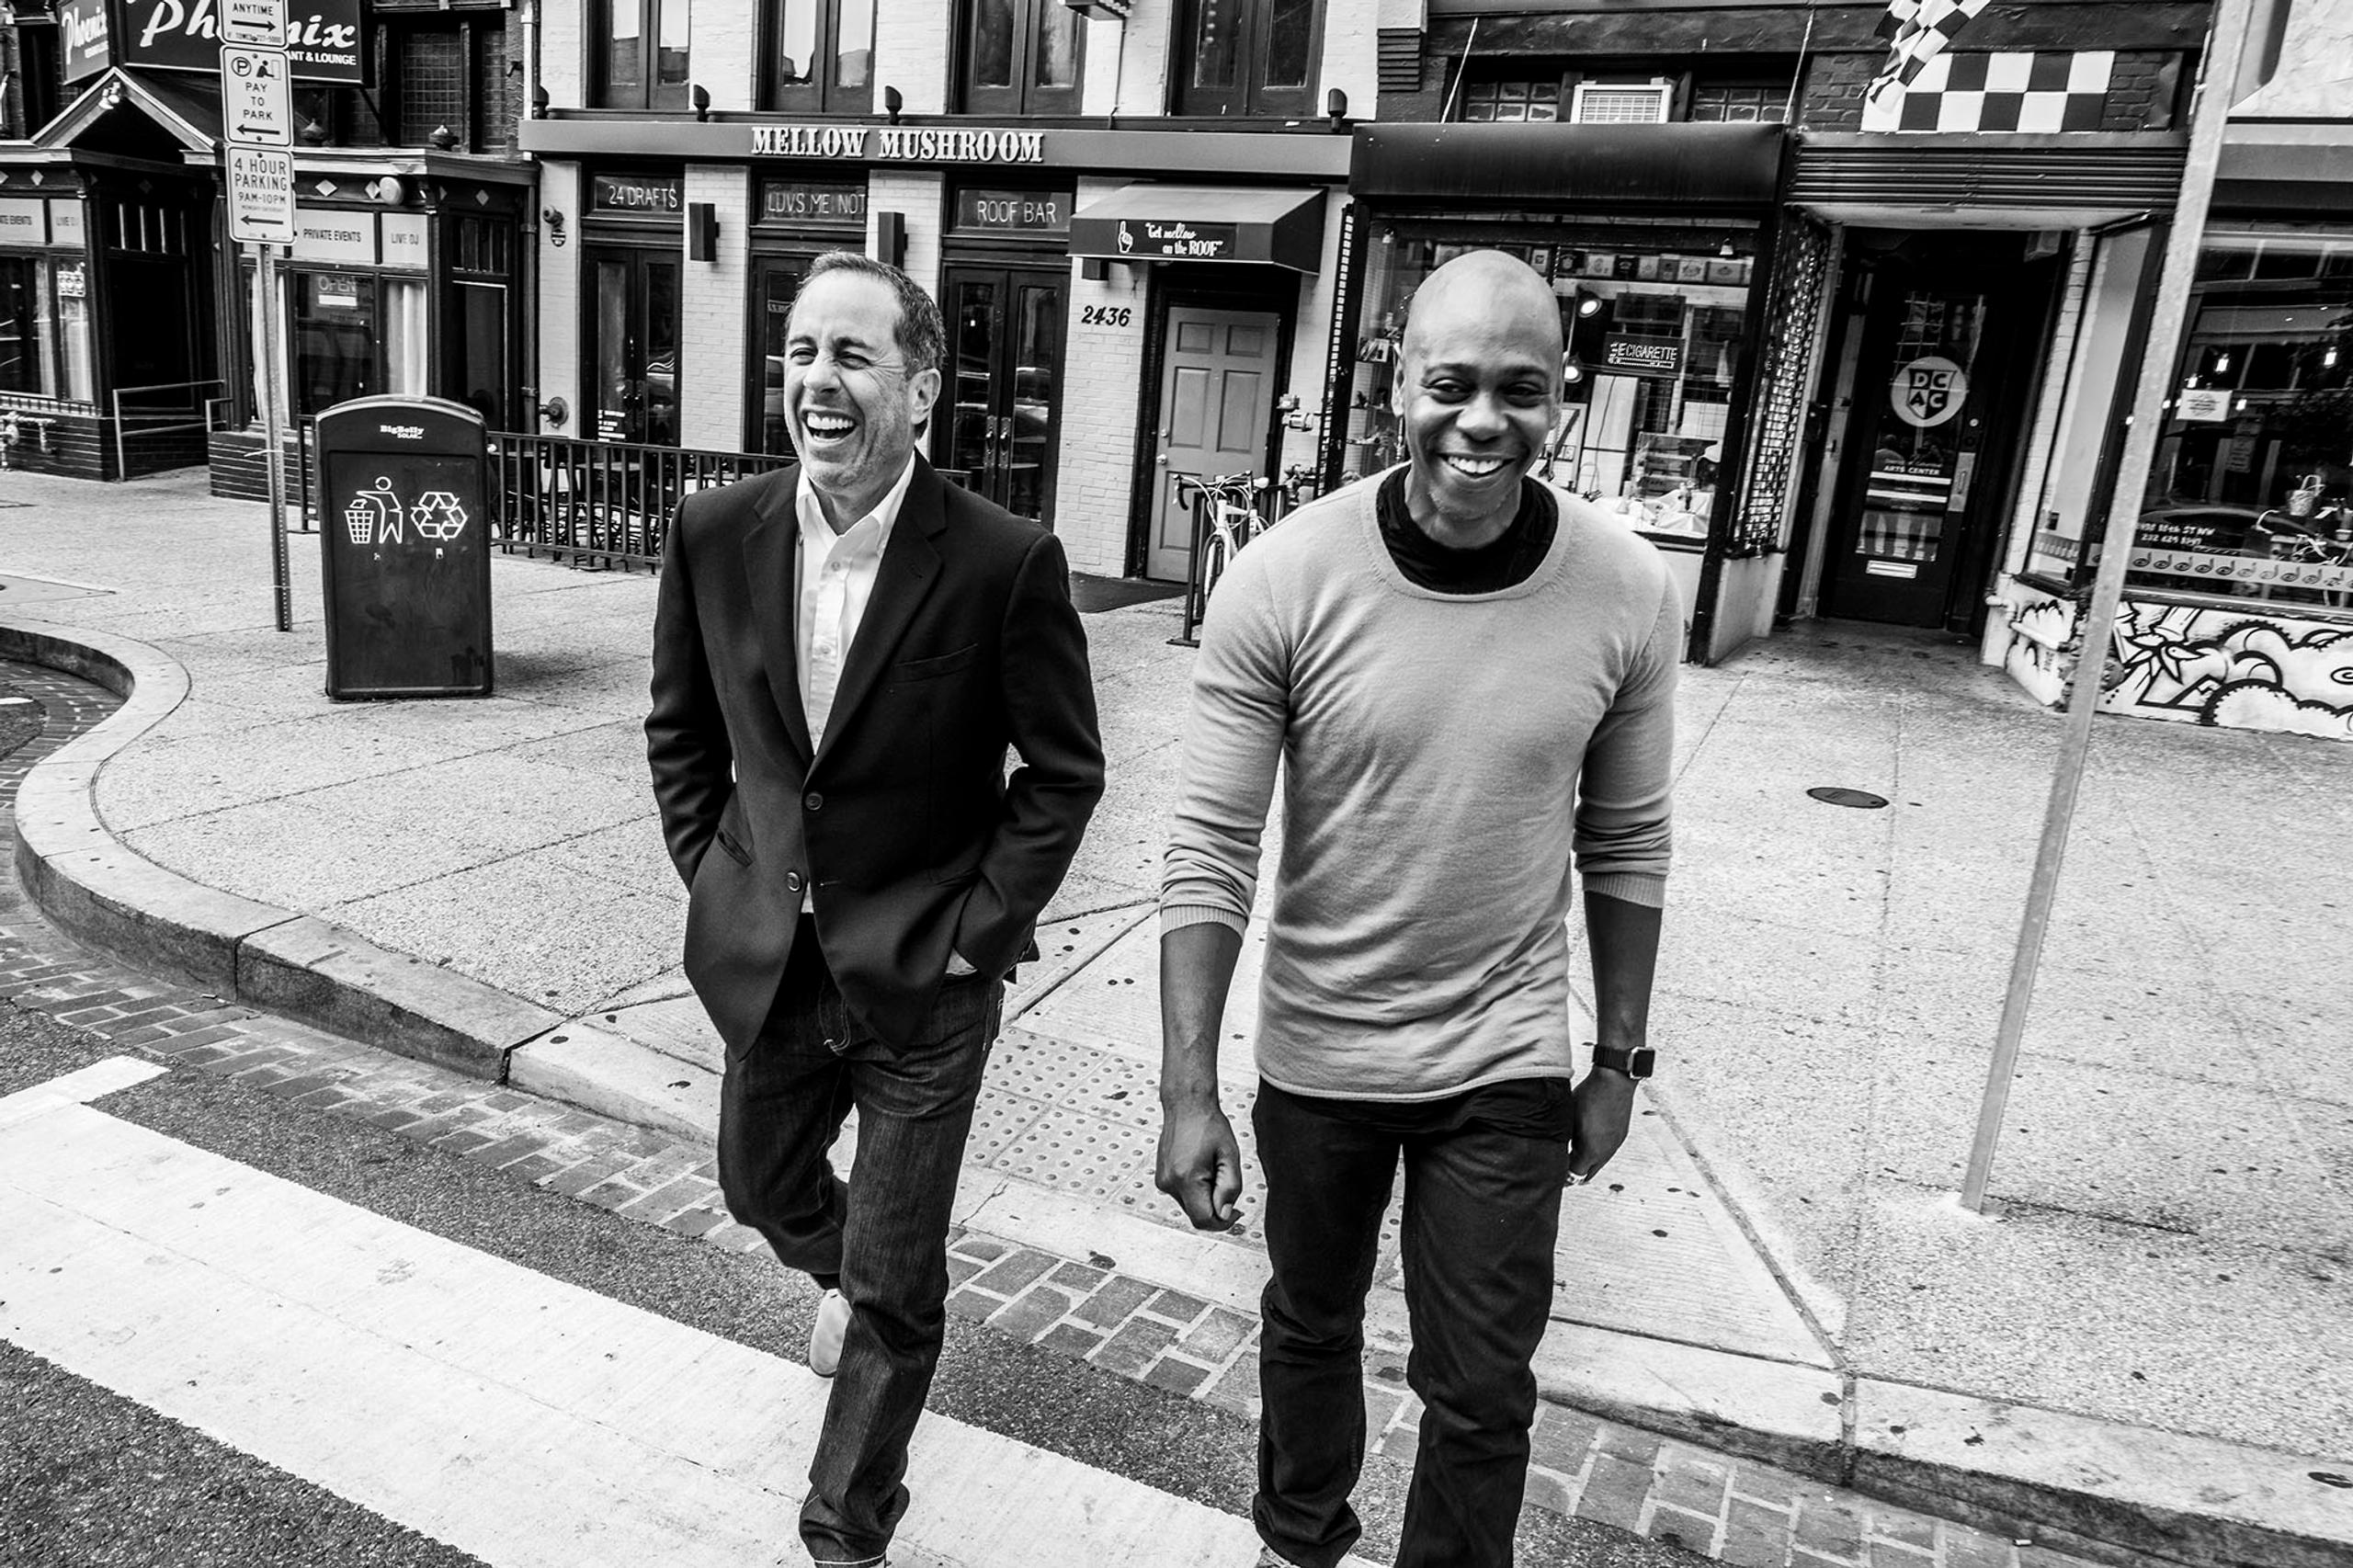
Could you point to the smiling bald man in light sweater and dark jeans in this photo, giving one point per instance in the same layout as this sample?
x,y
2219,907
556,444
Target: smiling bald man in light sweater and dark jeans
x,y
1469,679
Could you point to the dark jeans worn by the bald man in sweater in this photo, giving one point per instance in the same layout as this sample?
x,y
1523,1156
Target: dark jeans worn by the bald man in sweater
x,y
1484,1181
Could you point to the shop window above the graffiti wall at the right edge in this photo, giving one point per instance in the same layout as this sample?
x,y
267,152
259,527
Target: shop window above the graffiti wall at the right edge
x,y
2251,493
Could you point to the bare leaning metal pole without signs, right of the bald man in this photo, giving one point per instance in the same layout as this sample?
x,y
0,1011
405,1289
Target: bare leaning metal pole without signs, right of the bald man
x,y
2211,114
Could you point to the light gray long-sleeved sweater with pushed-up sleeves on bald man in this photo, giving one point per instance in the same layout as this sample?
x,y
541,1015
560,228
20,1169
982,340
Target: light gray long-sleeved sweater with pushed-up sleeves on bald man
x,y
1446,757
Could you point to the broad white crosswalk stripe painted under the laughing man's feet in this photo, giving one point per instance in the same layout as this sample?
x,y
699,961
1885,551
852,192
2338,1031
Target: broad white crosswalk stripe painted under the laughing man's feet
x,y
472,1400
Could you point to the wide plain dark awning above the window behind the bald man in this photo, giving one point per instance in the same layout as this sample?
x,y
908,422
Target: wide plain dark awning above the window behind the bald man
x,y
1554,166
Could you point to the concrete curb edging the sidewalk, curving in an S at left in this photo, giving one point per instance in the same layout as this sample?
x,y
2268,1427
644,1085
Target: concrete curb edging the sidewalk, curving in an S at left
x,y
2098,1489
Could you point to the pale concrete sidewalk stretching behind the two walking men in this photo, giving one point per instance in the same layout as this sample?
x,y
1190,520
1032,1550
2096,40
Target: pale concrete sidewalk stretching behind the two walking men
x,y
2149,1350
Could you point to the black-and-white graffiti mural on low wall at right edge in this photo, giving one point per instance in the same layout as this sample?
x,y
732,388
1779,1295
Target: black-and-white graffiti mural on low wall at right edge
x,y
2225,667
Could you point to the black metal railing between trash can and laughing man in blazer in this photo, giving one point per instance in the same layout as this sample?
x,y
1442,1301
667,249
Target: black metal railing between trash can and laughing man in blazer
x,y
599,503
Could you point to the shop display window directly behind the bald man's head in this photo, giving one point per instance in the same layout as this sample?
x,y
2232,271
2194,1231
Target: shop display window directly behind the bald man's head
x,y
1655,326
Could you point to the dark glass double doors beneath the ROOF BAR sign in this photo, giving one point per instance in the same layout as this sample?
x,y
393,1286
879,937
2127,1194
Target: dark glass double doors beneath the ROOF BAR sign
x,y
1001,397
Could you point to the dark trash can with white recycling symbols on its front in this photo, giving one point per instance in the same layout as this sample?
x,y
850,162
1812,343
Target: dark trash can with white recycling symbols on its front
x,y
404,505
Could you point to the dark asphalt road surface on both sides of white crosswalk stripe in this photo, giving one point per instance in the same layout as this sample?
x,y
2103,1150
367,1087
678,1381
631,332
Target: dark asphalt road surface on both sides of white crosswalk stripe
x,y
102,1480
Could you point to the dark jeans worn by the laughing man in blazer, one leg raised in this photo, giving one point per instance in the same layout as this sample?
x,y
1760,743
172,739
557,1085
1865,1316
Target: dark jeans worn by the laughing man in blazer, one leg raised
x,y
884,1233
